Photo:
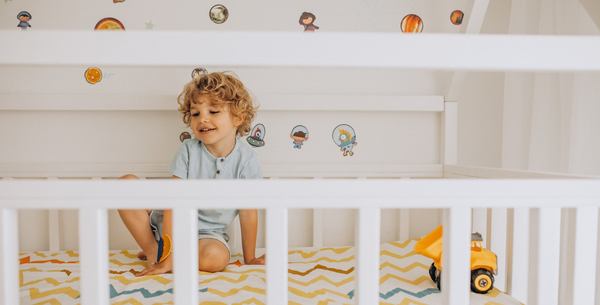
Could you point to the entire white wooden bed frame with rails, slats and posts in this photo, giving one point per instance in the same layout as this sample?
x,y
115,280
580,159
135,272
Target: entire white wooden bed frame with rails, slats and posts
x,y
461,199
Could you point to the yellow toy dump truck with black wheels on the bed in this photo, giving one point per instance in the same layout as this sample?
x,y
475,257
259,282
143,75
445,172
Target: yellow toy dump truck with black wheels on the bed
x,y
483,261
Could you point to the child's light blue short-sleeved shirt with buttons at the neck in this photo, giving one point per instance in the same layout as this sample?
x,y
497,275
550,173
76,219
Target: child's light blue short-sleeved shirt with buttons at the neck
x,y
194,161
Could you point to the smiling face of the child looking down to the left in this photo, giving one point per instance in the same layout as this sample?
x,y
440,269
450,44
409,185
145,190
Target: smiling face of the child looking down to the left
x,y
214,125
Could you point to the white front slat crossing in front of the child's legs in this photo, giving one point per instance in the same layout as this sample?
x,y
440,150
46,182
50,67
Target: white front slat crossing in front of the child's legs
x,y
185,260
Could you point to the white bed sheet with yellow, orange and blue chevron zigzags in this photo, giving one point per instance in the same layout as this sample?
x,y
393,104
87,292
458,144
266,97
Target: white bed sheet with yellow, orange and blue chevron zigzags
x,y
316,276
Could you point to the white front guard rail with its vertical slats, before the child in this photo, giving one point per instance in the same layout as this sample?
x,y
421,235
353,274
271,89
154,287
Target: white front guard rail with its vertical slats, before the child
x,y
456,197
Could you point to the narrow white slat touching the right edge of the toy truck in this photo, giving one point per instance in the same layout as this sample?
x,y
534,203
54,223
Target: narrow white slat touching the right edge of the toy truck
x,y
498,245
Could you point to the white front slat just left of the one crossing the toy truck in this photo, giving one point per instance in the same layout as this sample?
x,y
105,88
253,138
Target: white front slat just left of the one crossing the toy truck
x,y
367,258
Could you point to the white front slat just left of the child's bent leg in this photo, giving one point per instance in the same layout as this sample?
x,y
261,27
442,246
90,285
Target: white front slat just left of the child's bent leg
x,y
93,255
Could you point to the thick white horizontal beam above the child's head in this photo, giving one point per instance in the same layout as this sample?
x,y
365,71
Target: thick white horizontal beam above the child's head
x,y
285,49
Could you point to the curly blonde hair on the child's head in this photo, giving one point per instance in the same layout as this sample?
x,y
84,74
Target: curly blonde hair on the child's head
x,y
223,89
